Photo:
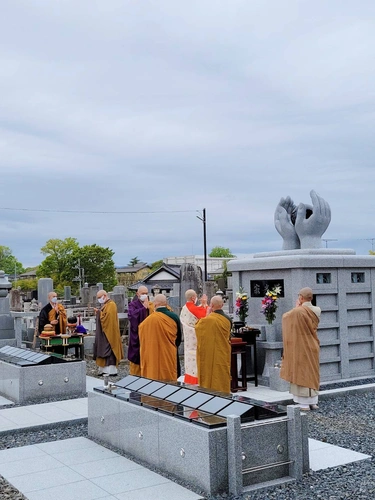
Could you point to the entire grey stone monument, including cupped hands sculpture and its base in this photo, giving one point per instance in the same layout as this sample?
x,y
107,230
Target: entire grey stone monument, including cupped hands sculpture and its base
x,y
342,284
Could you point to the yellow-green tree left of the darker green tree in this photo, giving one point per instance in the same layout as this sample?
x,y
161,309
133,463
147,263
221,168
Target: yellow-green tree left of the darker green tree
x,y
61,261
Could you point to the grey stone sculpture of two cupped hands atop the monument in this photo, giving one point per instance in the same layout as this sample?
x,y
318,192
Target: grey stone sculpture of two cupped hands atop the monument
x,y
302,226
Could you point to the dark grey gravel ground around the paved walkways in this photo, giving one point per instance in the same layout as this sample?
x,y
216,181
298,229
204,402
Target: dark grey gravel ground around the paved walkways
x,y
347,421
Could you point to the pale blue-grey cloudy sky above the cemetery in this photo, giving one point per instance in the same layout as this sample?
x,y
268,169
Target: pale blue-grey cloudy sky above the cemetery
x,y
120,120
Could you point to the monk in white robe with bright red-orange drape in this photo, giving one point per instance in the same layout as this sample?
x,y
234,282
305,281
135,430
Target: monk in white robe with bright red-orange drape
x,y
189,316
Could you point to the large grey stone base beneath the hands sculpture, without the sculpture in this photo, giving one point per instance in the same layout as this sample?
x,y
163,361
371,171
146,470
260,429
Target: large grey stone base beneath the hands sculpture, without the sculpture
x,y
344,288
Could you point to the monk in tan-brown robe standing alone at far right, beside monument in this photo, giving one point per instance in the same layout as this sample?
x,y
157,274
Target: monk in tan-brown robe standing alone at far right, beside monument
x,y
300,364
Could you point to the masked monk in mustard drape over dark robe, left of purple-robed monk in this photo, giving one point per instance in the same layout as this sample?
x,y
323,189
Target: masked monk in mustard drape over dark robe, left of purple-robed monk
x,y
108,350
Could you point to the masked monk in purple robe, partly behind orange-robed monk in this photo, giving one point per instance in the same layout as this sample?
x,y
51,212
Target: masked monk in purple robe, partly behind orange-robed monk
x,y
139,309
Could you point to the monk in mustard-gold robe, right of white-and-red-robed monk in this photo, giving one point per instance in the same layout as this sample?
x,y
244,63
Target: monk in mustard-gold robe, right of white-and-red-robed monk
x,y
214,349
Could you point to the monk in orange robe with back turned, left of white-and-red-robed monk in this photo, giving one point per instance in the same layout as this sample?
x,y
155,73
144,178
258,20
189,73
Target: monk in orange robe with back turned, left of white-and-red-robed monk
x,y
159,337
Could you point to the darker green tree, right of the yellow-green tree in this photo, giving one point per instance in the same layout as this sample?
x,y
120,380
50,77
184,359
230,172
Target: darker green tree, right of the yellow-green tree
x,y
98,265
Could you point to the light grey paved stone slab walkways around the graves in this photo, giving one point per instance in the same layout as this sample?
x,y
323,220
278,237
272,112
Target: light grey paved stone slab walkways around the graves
x,y
80,468
